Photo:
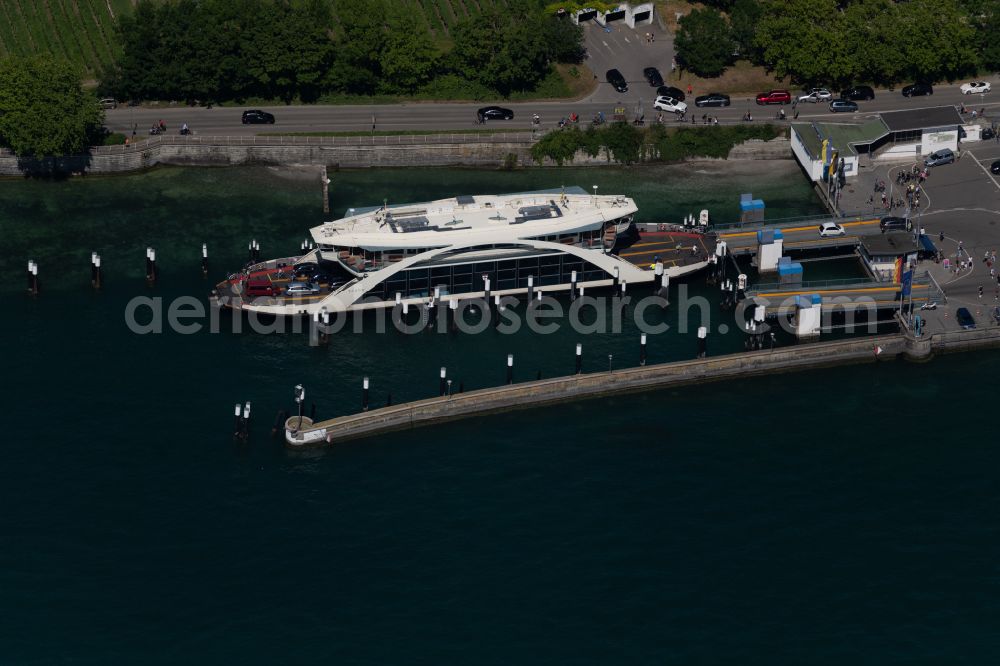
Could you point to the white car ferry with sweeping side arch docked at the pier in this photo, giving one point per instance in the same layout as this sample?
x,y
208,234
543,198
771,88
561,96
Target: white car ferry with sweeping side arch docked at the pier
x,y
467,247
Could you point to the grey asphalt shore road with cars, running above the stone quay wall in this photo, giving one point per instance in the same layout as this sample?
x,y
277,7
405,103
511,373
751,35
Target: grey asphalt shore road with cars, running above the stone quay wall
x,y
457,116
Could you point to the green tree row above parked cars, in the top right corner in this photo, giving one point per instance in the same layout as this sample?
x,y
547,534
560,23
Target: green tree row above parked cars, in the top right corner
x,y
838,42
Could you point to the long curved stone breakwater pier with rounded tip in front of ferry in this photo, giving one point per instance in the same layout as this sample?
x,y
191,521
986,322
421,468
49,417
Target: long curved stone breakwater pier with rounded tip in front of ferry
x,y
301,432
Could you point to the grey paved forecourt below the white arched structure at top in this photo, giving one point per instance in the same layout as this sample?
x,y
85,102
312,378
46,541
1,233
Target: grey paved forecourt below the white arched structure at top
x,y
626,49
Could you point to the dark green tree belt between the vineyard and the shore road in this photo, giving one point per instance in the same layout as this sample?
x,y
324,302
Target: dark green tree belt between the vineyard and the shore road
x,y
216,50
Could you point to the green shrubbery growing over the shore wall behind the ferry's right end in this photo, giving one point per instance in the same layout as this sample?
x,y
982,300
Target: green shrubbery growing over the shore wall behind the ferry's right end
x,y
627,144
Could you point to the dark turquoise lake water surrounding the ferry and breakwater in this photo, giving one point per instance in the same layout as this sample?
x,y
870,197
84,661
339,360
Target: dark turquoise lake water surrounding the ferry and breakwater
x,y
844,515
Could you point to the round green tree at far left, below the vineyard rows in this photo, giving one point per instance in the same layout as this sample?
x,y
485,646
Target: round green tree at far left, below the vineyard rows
x,y
44,112
